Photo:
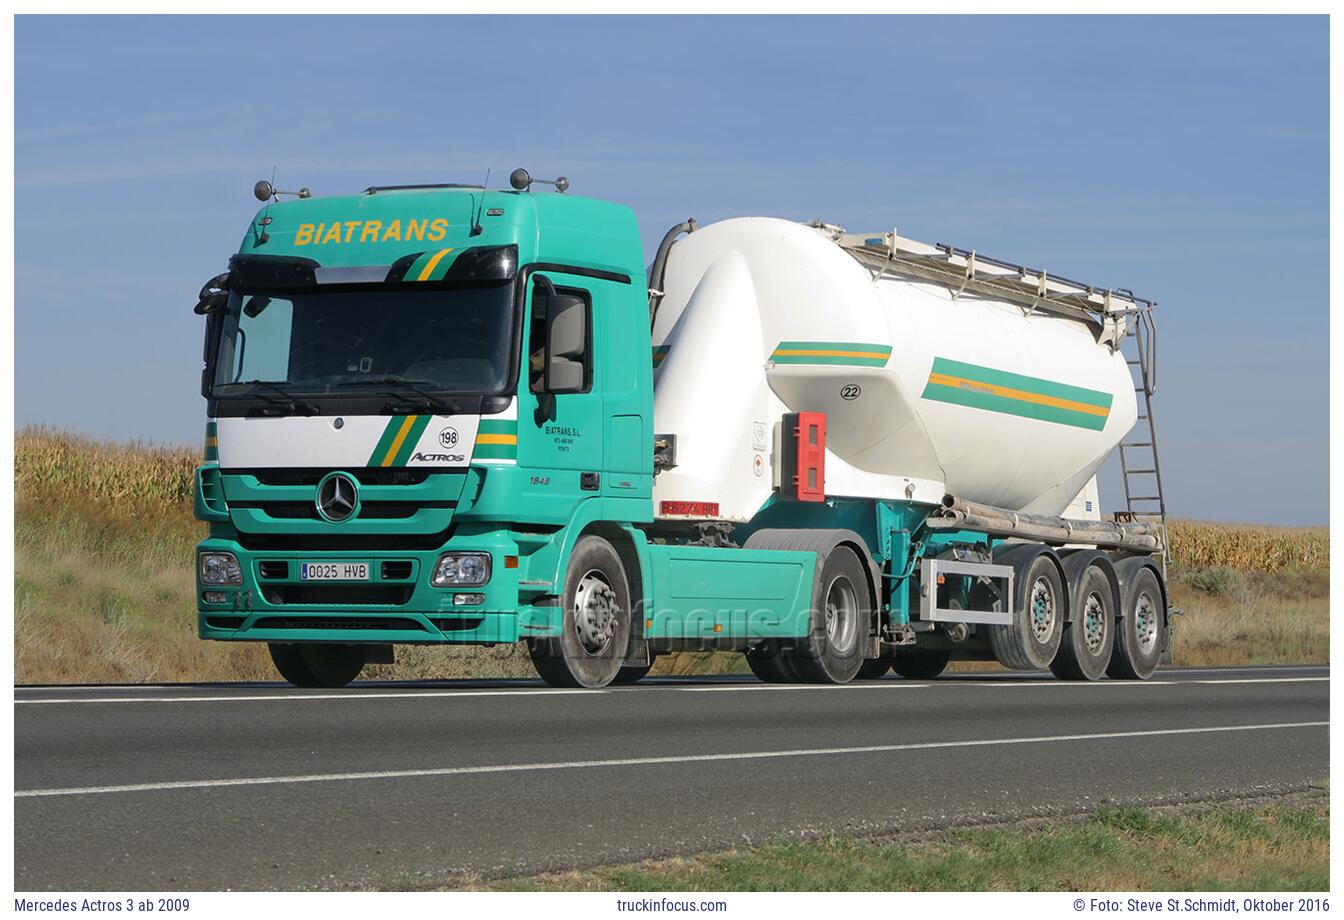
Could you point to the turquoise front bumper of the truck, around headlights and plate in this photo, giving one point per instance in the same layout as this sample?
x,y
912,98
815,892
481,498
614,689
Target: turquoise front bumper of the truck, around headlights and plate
x,y
396,606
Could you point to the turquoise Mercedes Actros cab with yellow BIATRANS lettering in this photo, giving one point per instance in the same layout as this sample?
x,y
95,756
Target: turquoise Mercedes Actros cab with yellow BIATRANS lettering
x,y
439,426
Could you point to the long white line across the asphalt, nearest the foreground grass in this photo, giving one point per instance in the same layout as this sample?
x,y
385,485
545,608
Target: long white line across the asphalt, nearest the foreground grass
x,y
640,762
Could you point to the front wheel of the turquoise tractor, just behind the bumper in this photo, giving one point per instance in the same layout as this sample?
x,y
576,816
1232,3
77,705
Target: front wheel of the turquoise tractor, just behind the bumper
x,y
592,644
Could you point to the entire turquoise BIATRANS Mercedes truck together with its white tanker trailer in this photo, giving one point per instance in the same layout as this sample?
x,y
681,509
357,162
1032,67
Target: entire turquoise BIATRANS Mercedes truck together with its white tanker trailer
x,y
458,416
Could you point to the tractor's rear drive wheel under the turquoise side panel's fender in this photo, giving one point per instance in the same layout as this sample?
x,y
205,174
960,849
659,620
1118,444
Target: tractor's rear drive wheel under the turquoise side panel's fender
x,y
842,613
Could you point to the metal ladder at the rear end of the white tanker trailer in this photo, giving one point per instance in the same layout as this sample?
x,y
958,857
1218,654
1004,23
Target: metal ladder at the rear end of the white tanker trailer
x,y
1139,464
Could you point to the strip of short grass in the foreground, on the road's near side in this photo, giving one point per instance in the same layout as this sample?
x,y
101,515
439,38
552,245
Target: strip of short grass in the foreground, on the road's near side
x,y
1232,847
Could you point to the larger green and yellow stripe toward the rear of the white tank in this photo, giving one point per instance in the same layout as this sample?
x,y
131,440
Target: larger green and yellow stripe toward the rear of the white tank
x,y
1015,394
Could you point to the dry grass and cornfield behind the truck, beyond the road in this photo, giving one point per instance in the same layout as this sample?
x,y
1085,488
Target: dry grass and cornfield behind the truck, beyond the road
x,y
104,593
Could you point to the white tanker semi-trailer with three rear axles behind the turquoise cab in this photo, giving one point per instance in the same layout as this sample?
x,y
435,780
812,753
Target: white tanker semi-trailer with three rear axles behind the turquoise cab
x,y
966,404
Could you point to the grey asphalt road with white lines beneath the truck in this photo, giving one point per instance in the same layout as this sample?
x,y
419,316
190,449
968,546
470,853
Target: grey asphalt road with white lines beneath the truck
x,y
264,786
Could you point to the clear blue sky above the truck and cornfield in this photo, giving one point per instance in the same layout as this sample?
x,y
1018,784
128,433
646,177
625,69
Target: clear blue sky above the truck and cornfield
x,y
1183,158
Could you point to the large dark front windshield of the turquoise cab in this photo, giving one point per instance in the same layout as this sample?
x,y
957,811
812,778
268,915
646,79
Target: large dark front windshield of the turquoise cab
x,y
454,340
